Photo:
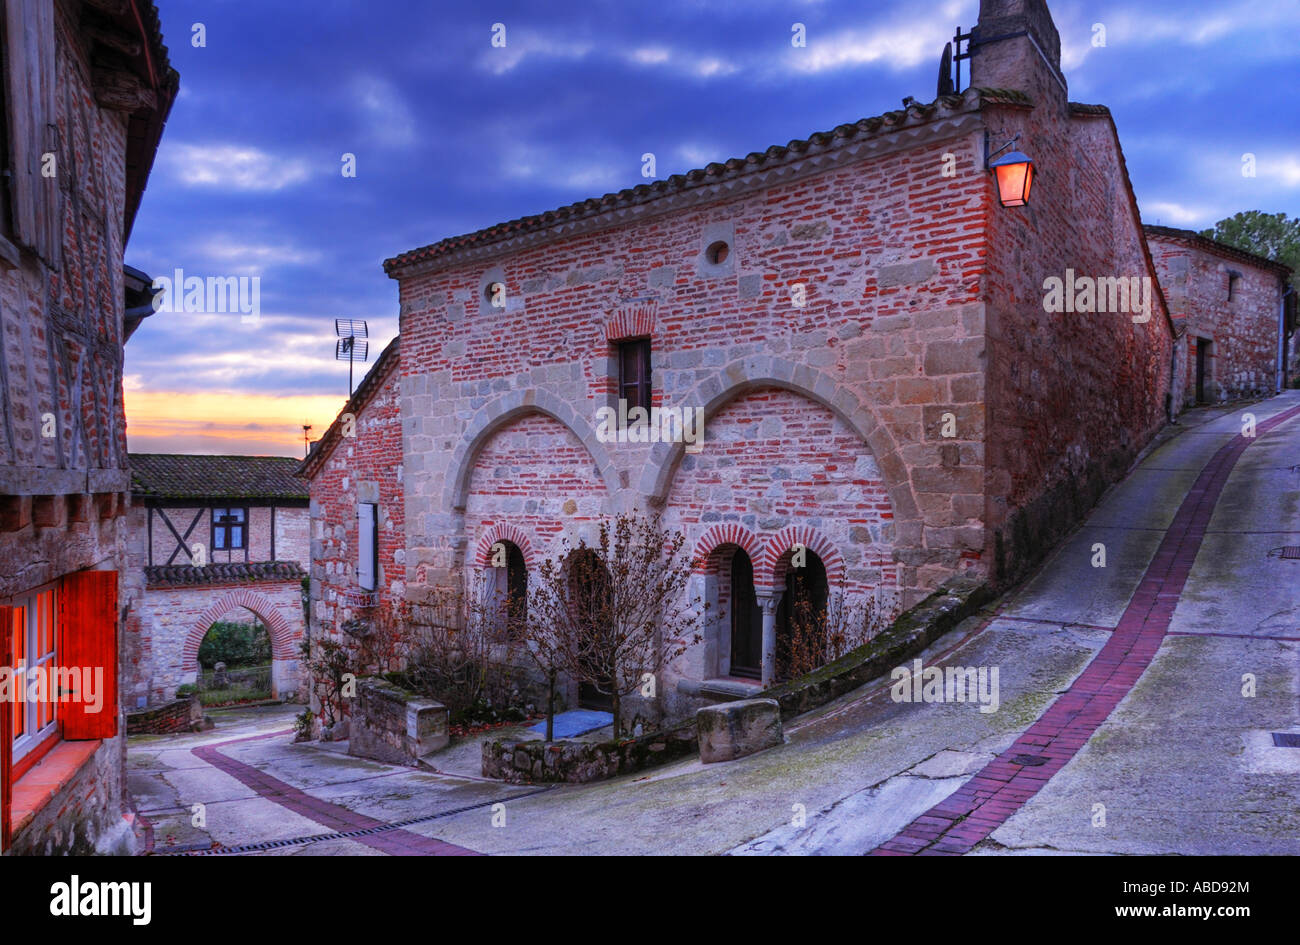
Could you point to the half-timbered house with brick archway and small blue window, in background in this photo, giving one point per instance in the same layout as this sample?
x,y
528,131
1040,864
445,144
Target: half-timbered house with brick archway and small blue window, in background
x,y
213,539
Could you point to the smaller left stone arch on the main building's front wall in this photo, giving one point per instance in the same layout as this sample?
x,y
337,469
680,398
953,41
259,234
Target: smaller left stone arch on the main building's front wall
x,y
496,415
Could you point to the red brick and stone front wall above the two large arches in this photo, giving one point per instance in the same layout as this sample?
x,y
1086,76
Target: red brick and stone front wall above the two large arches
x,y
890,255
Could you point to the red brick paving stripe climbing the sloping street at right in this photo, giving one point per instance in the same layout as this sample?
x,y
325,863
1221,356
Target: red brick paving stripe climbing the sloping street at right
x,y
959,823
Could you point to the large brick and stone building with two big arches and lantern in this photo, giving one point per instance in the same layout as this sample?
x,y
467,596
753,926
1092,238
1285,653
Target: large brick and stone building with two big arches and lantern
x,y
868,332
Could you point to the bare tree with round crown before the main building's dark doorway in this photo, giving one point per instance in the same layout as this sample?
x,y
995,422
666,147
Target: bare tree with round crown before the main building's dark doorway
x,y
616,613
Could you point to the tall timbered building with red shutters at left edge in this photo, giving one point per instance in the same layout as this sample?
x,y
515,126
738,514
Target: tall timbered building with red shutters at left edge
x,y
85,96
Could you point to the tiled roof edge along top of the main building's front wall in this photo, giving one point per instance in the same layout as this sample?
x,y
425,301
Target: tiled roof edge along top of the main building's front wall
x,y
913,114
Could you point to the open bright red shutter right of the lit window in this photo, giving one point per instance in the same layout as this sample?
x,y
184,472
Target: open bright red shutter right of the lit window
x,y
89,643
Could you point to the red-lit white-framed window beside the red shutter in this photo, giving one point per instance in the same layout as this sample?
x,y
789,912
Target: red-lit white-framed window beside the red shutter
x,y
34,628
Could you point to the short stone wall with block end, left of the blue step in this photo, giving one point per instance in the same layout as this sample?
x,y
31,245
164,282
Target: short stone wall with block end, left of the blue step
x,y
395,726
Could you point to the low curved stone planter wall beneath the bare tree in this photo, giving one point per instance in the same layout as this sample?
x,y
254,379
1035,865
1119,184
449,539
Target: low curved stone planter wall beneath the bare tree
x,y
578,762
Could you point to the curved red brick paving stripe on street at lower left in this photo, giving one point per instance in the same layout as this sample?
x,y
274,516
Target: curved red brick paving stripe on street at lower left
x,y
396,843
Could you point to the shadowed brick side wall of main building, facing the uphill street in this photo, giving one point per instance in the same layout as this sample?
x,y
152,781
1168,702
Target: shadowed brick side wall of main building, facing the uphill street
x,y
1071,397
